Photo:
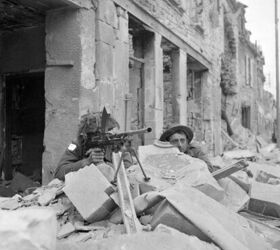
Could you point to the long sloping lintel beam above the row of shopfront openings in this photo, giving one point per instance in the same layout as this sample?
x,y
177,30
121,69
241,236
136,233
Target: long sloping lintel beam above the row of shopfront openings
x,y
145,17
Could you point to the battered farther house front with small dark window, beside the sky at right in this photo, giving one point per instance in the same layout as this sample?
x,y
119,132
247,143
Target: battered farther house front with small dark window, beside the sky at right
x,y
241,78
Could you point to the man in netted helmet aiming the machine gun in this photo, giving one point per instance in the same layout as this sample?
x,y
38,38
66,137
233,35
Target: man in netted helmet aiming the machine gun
x,y
78,156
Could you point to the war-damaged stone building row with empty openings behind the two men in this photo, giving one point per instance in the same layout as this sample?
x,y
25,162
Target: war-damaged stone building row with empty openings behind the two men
x,y
150,63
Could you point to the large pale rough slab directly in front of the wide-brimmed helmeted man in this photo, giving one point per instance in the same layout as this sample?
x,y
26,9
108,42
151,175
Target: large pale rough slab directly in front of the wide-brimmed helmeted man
x,y
167,166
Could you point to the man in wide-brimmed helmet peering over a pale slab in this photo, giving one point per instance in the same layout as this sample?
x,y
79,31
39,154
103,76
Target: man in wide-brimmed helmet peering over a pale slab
x,y
181,137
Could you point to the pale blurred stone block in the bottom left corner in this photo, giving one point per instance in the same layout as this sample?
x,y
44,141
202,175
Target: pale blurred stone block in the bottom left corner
x,y
28,229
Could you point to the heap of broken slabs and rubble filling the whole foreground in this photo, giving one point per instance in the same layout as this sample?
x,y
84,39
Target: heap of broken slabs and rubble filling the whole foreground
x,y
181,206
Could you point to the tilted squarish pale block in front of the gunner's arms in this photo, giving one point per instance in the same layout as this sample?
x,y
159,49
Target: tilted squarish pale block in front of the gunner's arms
x,y
89,192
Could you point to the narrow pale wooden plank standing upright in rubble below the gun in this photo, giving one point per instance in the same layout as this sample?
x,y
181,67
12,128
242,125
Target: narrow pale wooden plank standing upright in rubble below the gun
x,y
132,225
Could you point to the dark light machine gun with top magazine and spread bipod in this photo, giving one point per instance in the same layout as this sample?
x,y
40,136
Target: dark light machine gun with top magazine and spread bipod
x,y
121,141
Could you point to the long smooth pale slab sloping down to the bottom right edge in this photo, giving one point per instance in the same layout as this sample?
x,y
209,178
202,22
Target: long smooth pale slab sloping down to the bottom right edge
x,y
225,228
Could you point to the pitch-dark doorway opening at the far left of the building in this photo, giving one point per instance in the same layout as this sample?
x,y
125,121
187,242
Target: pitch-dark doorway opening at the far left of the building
x,y
24,125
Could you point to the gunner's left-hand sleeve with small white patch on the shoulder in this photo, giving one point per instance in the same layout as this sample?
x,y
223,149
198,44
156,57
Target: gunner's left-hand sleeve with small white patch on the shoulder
x,y
70,161
